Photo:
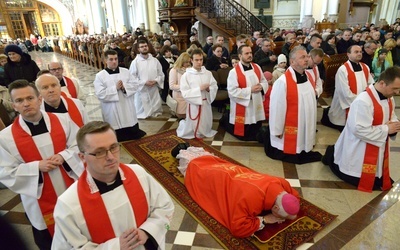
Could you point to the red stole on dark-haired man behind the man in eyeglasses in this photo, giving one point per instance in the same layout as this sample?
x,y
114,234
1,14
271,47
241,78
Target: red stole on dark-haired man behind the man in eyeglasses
x,y
29,152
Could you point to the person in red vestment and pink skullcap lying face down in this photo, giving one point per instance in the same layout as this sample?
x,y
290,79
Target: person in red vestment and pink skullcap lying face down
x,y
241,199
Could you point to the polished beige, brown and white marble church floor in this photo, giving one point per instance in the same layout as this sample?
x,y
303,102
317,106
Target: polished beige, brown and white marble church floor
x,y
365,220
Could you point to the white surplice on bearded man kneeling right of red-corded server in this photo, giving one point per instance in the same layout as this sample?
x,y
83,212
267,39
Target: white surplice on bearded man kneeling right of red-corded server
x,y
253,102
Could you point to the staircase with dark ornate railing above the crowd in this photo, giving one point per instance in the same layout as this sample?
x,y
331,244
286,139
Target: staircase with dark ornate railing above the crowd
x,y
228,18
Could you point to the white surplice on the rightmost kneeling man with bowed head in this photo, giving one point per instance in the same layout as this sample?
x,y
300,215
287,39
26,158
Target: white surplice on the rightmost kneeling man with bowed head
x,y
350,147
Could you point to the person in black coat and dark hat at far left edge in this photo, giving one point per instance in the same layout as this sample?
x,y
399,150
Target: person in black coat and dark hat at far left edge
x,y
19,65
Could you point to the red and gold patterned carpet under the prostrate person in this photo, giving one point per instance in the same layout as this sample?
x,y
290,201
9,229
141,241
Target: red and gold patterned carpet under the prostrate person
x,y
154,153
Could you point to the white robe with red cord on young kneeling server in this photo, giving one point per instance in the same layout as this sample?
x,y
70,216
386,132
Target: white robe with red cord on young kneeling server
x,y
196,98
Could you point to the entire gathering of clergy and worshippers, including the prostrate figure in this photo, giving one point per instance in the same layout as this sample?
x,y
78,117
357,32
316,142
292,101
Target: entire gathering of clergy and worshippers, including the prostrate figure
x,y
67,168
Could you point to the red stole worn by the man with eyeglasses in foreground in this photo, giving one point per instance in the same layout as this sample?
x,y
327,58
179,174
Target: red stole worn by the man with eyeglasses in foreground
x,y
93,206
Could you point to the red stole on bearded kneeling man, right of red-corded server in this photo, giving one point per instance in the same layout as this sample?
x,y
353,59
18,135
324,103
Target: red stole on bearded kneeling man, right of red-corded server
x,y
240,109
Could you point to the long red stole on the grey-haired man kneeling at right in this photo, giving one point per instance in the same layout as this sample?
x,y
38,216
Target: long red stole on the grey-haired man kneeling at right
x,y
291,119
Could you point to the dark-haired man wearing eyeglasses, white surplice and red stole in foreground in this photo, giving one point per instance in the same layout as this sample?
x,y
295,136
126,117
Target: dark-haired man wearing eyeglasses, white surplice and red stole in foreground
x,y
112,205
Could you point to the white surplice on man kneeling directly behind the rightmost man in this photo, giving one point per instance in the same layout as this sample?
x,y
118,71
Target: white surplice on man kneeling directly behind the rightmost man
x,y
343,96
